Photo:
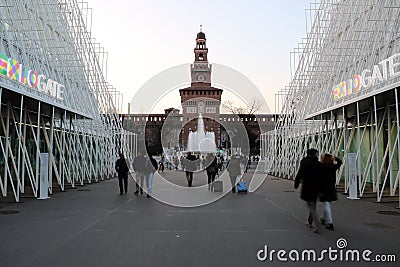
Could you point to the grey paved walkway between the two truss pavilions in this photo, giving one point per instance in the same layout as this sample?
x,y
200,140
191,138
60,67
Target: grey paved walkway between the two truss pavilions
x,y
98,227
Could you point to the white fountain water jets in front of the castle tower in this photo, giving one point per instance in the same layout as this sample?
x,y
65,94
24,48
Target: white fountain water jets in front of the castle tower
x,y
201,141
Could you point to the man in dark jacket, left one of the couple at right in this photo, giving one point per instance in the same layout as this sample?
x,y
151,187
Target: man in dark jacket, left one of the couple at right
x,y
309,175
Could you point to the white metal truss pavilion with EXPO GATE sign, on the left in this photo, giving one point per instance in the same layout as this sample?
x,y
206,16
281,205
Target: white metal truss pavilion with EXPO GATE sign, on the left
x,y
55,99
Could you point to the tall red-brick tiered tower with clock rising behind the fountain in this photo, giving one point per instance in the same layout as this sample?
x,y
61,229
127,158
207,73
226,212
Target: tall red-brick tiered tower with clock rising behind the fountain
x,y
200,97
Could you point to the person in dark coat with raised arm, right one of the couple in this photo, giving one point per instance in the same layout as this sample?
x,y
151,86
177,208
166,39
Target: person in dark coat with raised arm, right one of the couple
x,y
330,164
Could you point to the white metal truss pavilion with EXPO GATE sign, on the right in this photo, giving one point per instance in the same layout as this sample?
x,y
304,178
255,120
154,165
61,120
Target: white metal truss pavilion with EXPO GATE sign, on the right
x,y
343,95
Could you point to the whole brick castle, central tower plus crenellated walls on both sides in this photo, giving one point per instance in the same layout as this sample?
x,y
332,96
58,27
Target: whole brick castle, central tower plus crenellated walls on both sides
x,y
199,98
